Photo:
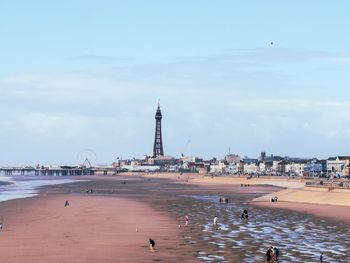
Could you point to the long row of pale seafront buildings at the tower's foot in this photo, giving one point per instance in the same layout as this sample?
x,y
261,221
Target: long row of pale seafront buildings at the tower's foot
x,y
232,164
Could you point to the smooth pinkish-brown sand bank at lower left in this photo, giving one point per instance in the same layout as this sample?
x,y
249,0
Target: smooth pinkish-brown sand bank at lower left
x,y
91,229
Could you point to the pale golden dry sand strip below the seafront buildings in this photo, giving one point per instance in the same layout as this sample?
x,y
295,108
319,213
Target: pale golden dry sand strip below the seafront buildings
x,y
291,193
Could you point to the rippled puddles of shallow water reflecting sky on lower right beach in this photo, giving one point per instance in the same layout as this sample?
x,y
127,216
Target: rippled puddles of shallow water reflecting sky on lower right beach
x,y
299,237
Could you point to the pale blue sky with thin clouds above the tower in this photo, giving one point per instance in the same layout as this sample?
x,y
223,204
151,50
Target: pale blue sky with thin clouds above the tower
x,y
81,77
